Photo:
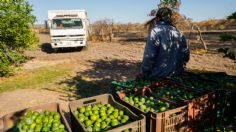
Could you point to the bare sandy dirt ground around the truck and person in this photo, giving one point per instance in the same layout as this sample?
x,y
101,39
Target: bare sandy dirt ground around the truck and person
x,y
96,66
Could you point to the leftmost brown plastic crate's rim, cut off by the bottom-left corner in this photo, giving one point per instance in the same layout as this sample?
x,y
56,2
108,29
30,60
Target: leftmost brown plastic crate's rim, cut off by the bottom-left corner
x,y
8,121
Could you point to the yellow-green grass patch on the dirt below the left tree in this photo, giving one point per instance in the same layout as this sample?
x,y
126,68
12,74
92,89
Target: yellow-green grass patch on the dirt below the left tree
x,y
40,78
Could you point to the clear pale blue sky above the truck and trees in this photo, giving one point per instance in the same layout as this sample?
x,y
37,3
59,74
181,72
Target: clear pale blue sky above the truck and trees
x,y
134,10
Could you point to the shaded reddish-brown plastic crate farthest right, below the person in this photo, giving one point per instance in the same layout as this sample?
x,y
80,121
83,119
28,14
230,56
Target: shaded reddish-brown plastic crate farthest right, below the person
x,y
201,109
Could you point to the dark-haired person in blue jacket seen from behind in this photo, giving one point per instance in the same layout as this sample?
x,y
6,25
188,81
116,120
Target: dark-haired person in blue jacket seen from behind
x,y
166,52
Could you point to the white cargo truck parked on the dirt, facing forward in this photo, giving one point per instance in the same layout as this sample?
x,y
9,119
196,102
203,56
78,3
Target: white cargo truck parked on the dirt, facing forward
x,y
68,28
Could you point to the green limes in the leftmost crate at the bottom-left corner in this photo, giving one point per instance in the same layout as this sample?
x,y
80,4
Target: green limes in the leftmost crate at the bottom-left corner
x,y
46,121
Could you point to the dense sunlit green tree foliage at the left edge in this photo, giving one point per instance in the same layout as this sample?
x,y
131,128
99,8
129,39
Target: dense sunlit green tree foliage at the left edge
x,y
15,33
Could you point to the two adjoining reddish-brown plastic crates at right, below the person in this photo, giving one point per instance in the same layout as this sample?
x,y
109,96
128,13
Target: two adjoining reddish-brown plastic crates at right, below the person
x,y
200,110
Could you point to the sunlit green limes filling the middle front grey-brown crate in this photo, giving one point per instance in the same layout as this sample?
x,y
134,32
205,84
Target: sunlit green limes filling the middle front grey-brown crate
x,y
100,117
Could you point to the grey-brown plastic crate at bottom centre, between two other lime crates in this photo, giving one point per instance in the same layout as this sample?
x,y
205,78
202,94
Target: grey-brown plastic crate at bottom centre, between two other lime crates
x,y
137,124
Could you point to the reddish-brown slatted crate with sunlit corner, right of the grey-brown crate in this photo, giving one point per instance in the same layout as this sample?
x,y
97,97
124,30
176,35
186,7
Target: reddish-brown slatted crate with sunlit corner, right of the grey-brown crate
x,y
169,121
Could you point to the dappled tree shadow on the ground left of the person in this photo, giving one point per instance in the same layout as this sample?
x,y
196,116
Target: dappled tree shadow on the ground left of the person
x,y
98,80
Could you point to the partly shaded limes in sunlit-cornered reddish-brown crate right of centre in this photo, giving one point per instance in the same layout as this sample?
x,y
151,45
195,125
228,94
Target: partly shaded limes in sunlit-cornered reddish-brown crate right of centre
x,y
147,104
